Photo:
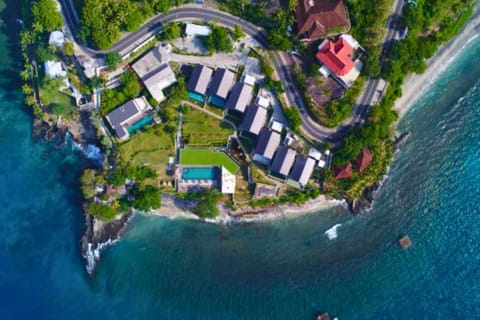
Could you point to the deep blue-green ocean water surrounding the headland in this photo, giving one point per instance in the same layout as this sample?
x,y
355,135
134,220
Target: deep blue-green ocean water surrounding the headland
x,y
282,269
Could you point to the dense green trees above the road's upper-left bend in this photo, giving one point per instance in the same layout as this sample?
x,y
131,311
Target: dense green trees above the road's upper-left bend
x,y
104,20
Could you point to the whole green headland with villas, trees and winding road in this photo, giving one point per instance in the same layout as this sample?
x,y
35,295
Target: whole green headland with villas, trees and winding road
x,y
228,109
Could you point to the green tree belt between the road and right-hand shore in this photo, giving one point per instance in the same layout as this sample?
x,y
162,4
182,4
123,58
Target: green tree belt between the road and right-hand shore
x,y
430,23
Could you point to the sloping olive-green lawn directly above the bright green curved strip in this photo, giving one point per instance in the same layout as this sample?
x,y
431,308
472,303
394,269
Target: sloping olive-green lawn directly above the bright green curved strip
x,y
202,130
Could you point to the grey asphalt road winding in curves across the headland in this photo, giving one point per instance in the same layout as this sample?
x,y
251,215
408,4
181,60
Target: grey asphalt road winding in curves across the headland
x,y
310,128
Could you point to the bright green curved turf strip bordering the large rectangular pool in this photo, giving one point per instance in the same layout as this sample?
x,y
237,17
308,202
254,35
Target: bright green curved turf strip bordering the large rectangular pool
x,y
207,157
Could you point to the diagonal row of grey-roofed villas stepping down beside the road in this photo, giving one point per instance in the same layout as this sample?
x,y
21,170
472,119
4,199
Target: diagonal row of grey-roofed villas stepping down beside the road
x,y
283,163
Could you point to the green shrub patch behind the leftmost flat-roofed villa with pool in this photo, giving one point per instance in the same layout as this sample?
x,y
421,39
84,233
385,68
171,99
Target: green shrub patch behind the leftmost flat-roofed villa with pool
x,y
113,98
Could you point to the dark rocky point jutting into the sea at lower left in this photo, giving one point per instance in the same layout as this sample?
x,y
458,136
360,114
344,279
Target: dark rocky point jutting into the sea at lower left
x,y
98,235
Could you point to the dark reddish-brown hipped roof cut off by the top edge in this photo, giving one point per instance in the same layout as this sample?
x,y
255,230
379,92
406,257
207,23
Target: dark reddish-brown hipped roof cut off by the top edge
x,y
315,17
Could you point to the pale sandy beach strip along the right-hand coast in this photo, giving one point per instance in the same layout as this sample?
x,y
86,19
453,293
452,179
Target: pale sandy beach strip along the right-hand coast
x,y
416,84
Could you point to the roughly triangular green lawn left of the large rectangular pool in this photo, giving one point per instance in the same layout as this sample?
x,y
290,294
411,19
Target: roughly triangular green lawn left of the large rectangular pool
x,y
151,148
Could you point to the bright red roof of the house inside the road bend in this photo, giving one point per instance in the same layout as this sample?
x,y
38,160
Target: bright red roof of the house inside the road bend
x,y
337,56
